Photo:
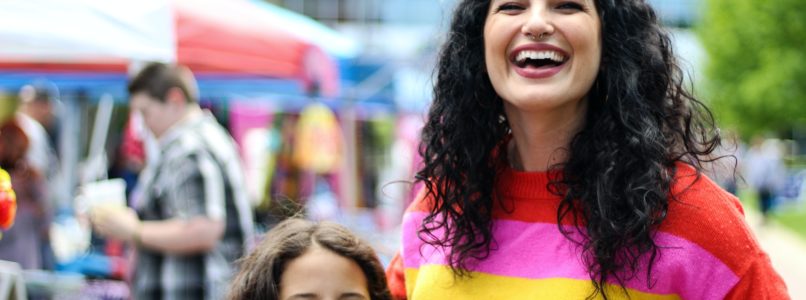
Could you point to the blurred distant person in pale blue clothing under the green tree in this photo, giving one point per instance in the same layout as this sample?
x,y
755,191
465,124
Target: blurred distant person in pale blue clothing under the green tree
x,y
763,169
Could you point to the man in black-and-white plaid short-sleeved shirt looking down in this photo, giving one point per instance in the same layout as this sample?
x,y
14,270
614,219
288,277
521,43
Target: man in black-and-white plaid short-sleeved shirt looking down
x,y
191,219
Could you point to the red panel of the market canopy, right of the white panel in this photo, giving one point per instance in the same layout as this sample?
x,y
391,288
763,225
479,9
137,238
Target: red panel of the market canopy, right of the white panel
x,y
221,36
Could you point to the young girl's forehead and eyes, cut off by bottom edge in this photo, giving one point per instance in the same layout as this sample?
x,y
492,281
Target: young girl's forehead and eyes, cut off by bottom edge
x,y
320,274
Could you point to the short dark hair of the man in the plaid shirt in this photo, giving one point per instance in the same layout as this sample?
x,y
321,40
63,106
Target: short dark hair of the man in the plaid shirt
x,y
156,79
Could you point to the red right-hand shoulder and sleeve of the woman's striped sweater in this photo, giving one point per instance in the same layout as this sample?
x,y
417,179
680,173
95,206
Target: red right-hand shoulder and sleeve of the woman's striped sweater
x,y
711,219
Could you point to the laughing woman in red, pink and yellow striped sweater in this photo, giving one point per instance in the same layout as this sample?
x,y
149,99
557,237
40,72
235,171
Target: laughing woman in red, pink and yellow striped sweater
x,y
562,161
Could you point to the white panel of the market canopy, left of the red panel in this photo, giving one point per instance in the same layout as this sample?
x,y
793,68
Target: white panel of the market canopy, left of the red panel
x,y
84,34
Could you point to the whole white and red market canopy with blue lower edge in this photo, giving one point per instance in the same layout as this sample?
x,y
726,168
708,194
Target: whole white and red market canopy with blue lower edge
x,y
230,44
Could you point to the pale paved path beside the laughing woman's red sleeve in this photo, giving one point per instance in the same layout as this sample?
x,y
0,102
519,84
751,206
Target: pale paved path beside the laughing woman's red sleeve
x,y
787,252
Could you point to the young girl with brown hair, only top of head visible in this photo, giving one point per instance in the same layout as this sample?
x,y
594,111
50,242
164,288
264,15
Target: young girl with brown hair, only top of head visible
x,y
300,259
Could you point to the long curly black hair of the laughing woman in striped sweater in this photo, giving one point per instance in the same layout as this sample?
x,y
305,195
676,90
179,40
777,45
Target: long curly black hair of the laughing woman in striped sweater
x,y
616,183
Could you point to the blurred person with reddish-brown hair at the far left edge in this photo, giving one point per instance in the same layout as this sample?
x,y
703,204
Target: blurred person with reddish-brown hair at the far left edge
x,y
23,242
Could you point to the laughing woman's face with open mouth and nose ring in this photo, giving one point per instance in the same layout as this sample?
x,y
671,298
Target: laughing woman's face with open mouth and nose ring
x,y
542,54
